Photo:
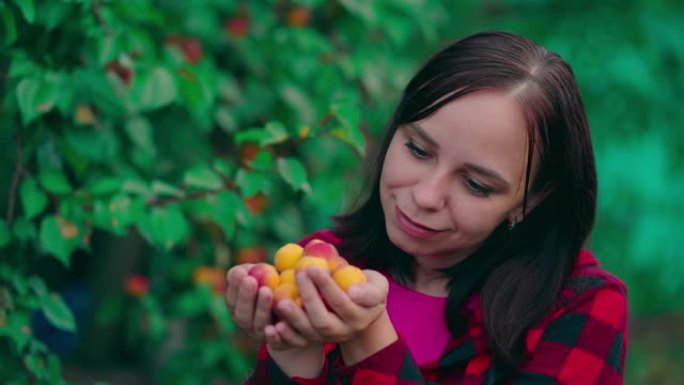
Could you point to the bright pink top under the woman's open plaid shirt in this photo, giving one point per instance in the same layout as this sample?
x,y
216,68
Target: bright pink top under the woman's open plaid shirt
x,y
420,320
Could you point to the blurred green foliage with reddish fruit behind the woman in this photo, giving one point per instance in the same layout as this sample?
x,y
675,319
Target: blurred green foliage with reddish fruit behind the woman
x,y
147,146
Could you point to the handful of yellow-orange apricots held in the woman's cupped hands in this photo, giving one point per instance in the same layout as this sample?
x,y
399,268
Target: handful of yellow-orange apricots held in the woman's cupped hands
x,y
292,257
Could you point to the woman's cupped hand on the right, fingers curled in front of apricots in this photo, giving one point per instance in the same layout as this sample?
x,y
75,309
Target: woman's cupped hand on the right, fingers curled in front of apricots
x,y
346,313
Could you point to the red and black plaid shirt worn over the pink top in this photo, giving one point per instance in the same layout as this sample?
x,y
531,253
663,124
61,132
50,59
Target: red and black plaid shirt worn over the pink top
x,y
582,342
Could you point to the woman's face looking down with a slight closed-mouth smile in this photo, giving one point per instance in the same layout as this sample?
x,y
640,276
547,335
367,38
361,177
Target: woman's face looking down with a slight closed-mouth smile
x,y
449,180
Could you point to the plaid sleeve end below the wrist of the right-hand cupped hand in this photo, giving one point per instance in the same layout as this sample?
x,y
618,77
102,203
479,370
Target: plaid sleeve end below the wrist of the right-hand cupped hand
x,y
392,365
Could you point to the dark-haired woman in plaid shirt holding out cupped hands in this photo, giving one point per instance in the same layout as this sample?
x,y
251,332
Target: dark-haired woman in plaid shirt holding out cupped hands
x,y
481,197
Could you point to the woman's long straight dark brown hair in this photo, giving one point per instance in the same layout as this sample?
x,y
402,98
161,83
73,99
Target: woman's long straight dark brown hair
x,y
519,273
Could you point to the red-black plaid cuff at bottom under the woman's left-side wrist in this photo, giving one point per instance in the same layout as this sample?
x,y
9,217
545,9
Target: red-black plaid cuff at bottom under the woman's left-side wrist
x,y
267,372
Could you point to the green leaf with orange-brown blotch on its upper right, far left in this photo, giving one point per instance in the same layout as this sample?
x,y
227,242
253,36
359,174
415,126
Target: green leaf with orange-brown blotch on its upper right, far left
x,y
59,237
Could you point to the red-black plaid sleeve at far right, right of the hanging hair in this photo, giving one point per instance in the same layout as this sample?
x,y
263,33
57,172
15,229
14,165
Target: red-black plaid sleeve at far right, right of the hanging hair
x,y
584,344
